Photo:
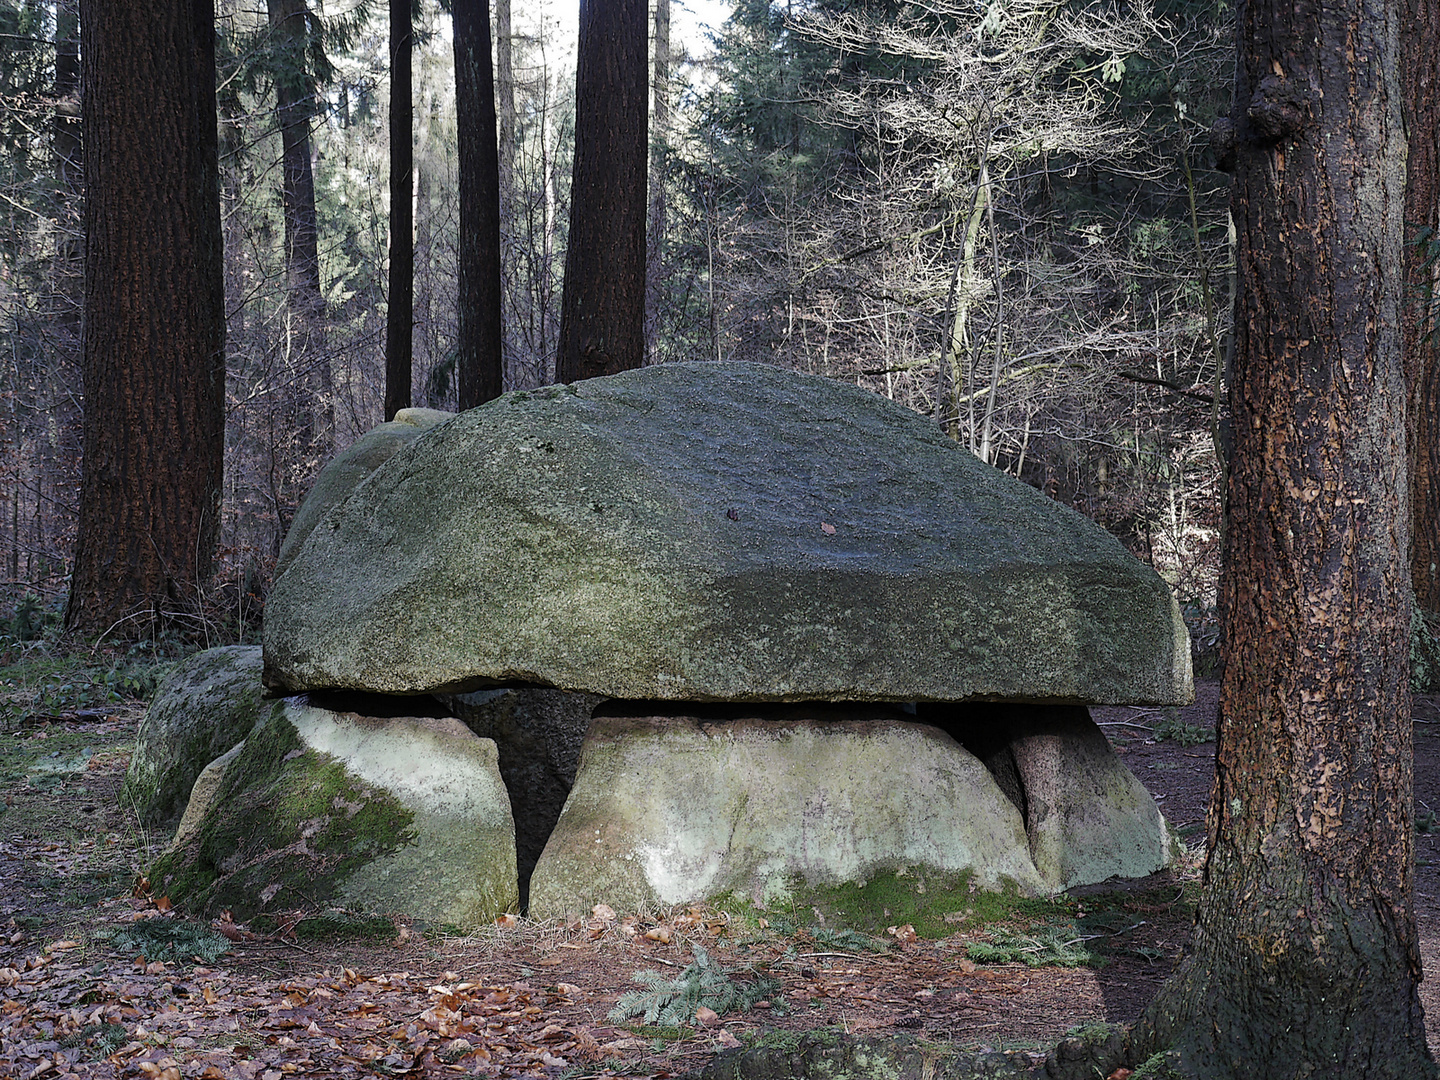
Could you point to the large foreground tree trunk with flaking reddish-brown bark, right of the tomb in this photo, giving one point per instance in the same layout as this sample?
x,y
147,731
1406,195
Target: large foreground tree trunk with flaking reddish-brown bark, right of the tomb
x,y
1305,958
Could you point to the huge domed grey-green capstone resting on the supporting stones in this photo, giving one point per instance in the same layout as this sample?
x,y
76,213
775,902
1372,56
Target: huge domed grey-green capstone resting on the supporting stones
x,y
716,532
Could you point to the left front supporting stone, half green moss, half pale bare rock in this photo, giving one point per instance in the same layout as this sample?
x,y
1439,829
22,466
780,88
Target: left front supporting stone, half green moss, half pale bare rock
x,y
377,814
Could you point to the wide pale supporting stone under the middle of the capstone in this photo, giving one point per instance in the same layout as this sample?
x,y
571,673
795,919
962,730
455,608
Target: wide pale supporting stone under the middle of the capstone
x,y
675,810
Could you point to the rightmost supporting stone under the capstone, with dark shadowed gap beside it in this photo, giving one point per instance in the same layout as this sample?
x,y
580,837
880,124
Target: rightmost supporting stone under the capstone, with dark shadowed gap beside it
x,y
1086,816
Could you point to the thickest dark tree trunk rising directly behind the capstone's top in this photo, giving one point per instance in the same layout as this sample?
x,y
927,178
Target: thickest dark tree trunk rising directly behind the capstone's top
x,y
603,309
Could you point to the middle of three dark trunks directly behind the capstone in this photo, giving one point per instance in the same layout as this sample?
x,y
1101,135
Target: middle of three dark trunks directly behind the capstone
x,y
482,369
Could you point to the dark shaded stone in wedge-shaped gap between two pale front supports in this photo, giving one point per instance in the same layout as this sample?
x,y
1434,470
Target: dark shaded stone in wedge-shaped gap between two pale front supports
x,y
538,735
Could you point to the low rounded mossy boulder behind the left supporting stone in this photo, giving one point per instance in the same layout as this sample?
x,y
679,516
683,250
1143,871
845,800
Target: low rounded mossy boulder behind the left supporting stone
x,y
205,708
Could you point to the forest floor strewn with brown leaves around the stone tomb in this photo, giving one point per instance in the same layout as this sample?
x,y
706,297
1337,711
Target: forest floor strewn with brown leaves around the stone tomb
x,y
99,978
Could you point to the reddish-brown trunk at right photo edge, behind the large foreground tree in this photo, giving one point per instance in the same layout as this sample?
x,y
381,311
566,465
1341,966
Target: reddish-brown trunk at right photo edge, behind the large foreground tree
x,y
1421,70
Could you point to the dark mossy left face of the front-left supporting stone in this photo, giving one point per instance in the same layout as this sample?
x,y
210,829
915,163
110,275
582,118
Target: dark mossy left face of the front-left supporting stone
x,y
289,826
